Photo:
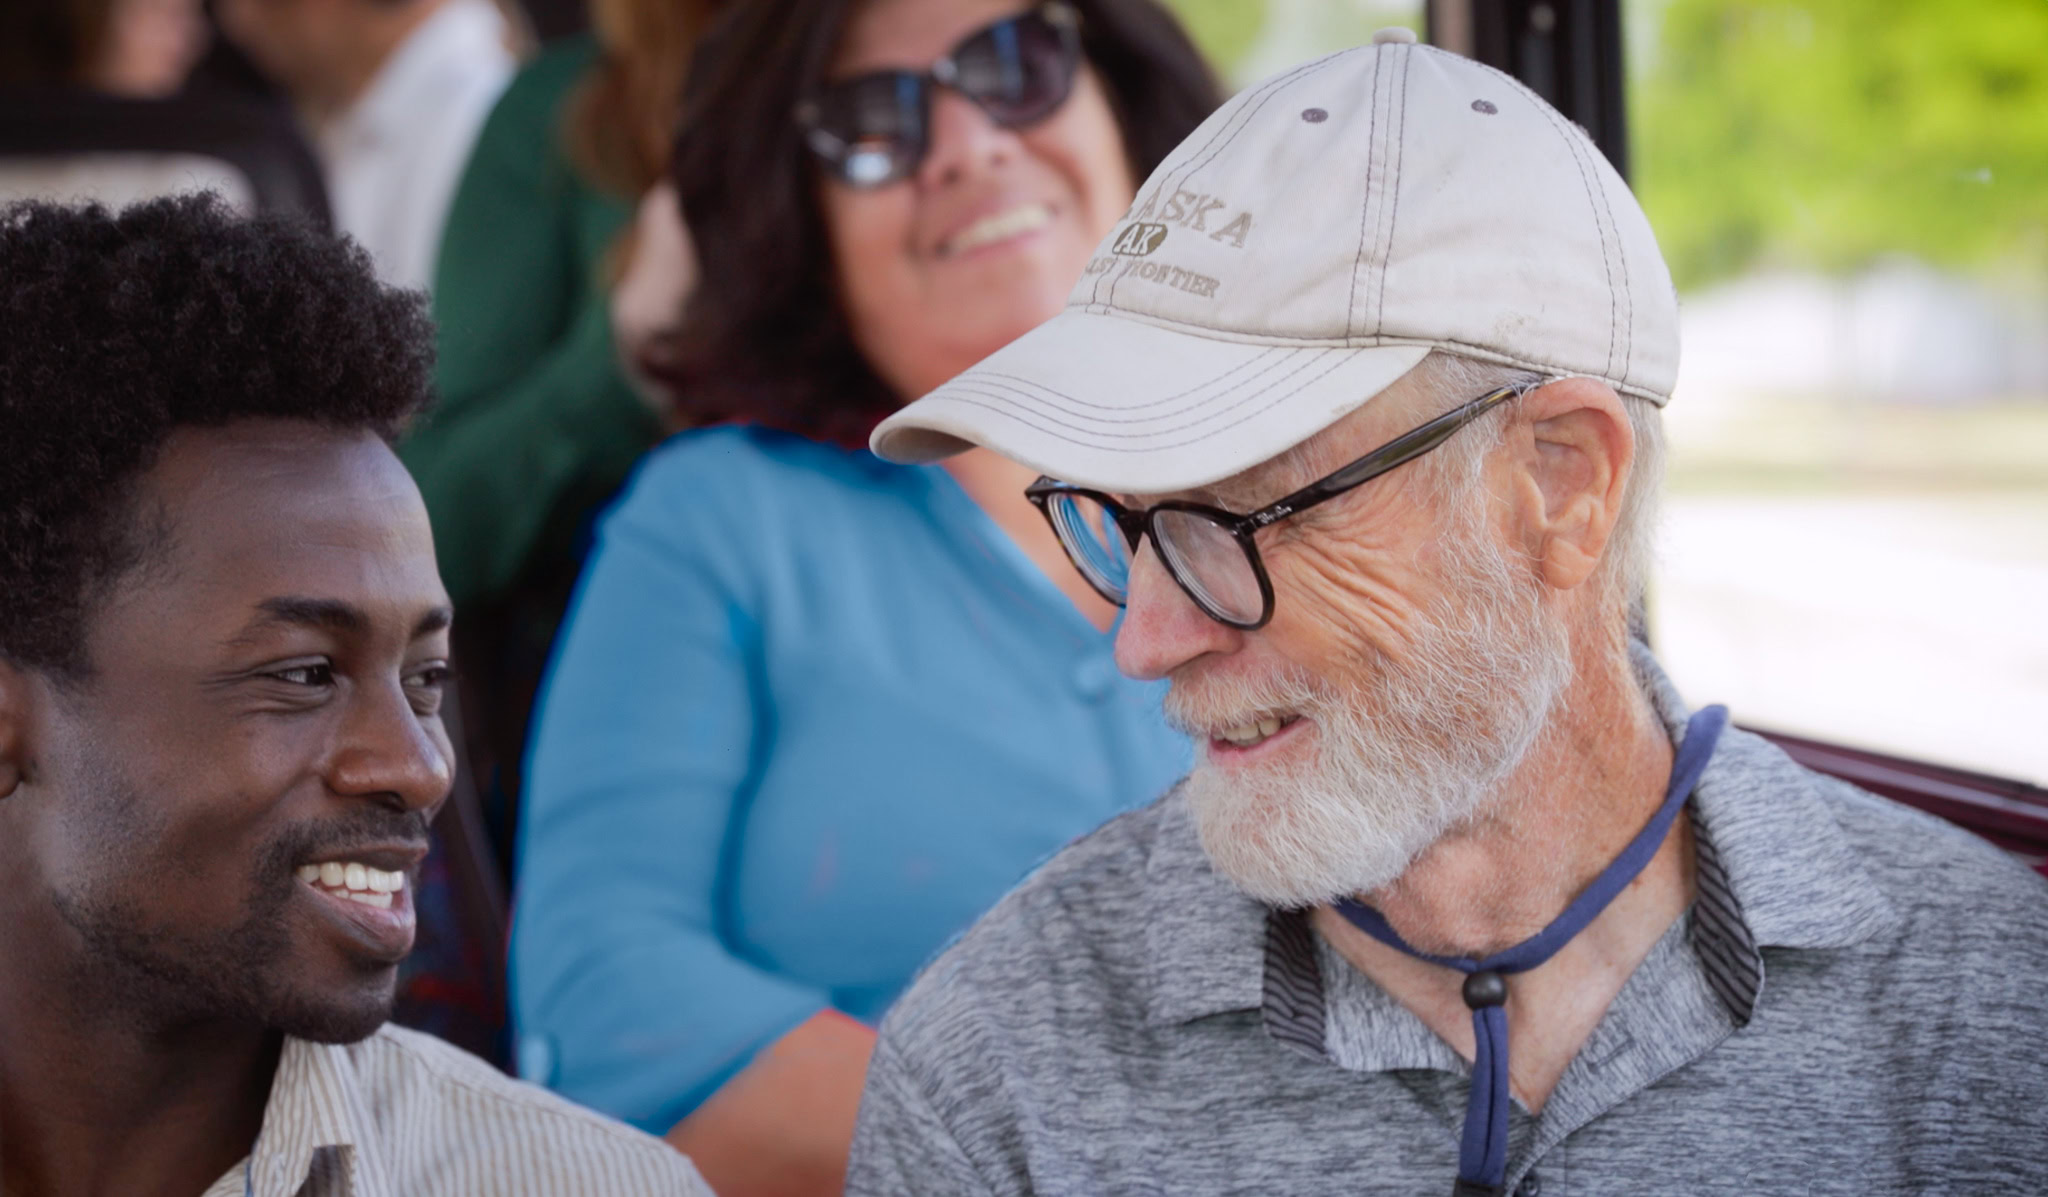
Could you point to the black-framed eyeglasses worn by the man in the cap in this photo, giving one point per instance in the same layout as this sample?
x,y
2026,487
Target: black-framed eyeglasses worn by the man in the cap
x,y
1209,552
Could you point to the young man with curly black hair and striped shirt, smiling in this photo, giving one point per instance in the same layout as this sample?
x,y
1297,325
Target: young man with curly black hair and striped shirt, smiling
x,y
222,659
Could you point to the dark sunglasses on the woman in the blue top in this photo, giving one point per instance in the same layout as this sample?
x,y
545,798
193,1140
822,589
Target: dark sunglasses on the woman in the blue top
x,y
878,128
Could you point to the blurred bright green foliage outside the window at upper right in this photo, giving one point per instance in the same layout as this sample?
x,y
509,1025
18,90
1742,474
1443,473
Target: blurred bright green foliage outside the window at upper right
x,y
1832,132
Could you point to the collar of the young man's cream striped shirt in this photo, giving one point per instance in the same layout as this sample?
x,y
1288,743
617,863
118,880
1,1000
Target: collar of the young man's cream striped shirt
x,y
318,1120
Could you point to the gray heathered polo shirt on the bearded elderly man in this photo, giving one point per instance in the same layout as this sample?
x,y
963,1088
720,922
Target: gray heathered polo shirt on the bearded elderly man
x,y
1857,1003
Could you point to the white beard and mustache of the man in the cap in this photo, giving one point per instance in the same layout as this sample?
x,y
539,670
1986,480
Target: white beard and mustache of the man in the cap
x,y
1402,757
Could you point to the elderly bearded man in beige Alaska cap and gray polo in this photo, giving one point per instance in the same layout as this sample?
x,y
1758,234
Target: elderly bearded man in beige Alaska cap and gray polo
x,y
1359,417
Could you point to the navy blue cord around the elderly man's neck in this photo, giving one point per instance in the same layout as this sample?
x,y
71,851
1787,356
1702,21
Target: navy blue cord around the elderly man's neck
x,y
1484,1147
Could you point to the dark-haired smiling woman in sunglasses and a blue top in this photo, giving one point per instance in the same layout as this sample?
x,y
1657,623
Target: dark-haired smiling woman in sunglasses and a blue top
x,y
812,712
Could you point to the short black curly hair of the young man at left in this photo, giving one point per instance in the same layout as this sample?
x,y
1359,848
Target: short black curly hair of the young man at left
x,y
177,313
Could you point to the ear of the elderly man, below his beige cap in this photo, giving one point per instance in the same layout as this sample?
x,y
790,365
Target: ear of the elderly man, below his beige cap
x,y
1572,477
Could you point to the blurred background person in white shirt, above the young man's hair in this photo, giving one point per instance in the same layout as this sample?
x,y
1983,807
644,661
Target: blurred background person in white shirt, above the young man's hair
x,y
394,93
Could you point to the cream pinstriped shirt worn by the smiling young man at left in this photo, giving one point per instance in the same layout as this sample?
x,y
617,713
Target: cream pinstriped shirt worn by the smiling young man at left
x,y
409,1116
